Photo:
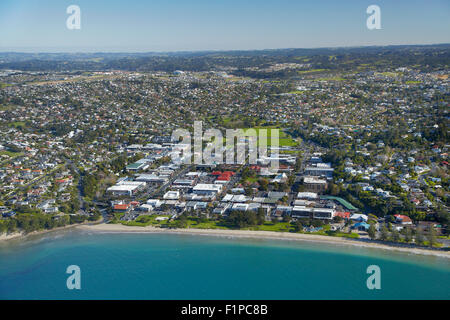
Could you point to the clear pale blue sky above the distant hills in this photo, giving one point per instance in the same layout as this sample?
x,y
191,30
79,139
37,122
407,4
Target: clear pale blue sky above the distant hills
x,y
174,25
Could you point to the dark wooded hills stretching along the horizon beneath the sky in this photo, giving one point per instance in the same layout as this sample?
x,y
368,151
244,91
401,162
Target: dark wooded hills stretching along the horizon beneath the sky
x,y
431,57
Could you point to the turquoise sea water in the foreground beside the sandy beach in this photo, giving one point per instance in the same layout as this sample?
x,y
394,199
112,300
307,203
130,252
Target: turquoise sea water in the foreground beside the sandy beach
x,y
171,266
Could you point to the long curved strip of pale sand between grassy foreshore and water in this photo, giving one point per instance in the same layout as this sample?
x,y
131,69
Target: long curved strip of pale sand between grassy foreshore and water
x,y
119,228
